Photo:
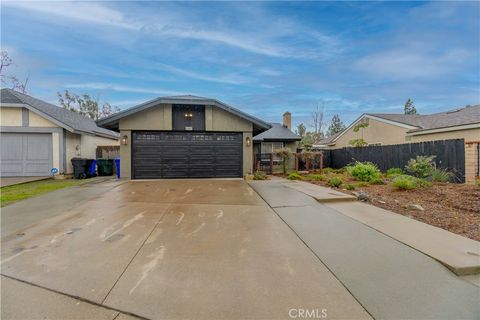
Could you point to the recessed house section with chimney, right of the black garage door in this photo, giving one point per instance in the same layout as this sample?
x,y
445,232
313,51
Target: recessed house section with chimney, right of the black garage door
x,y
277,137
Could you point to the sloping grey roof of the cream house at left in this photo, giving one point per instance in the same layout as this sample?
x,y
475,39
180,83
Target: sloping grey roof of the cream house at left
x,y
64,118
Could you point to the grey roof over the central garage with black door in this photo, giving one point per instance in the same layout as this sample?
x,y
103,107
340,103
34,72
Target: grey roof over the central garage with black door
x,y
112,121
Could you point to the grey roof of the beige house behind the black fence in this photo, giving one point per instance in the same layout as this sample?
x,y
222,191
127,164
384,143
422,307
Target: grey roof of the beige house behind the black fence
x,y
421,124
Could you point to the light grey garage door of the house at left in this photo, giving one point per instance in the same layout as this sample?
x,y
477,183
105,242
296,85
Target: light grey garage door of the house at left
x,y
26,154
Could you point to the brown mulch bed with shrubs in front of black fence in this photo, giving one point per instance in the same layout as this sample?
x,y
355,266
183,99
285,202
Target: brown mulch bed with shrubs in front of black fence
x,y
453,207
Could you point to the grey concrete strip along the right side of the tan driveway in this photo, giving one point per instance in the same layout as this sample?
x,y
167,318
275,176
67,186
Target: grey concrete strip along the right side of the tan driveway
x,y
391,280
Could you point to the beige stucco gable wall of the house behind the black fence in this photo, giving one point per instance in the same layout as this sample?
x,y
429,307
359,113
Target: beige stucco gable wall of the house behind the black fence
x,y
376,132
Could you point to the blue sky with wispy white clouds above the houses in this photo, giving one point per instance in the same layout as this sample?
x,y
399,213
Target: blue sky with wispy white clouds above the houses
x,y
262,57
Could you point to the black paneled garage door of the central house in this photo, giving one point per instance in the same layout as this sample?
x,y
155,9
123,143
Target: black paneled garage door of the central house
x,y
186,155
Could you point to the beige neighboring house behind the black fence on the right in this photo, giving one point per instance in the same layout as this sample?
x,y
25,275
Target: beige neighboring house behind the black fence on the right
x,y
387,129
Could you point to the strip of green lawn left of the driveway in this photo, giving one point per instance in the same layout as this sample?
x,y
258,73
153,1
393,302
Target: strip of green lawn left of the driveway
x,y
11,194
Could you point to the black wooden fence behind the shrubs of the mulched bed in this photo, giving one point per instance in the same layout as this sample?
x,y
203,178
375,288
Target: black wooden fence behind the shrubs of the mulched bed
x,y
450,155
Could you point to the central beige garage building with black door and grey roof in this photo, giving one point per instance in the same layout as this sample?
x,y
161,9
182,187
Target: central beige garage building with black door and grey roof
x,y
185,137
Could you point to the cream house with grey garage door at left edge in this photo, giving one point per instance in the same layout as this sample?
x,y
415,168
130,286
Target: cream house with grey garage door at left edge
x,y
37,136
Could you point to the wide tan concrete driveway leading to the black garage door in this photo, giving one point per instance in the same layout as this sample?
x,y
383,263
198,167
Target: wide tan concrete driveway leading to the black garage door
x,y
176,249
